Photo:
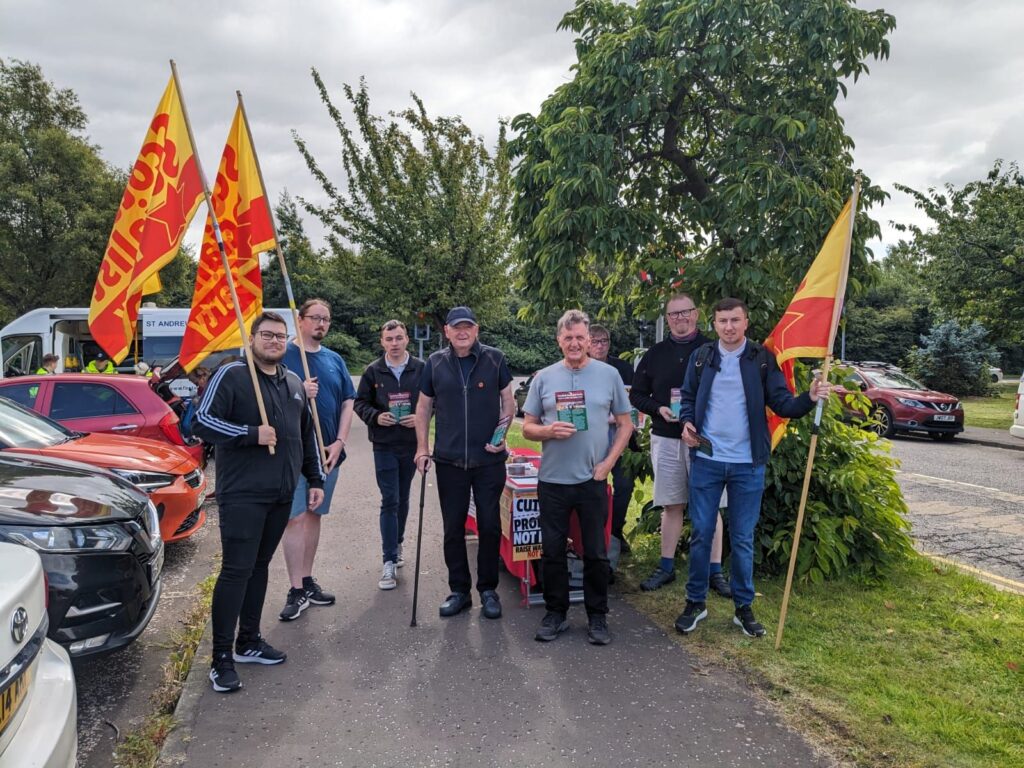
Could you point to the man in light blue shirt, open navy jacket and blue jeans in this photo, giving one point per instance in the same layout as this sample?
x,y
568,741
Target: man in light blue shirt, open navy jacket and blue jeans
x,y
728,386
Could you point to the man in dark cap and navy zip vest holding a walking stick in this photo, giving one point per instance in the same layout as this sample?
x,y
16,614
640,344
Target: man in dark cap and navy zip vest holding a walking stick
x,y
471,388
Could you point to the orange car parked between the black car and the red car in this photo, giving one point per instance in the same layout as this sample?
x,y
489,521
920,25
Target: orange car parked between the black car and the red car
x,y
170,477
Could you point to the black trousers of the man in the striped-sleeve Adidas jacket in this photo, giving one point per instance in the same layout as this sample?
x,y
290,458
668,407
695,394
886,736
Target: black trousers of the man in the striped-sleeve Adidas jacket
x,y
249,537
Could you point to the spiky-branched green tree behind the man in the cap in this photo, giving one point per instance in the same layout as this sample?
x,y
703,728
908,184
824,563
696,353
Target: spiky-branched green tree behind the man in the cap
x,y
425,206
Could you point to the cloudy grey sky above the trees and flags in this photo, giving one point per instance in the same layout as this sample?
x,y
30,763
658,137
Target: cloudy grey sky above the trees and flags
x,y
941,110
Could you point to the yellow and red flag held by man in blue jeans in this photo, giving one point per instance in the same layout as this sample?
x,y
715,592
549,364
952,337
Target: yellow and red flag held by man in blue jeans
x,y
808,328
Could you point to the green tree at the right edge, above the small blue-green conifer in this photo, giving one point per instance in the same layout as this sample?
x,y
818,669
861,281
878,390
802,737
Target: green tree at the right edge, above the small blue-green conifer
x,y
974,254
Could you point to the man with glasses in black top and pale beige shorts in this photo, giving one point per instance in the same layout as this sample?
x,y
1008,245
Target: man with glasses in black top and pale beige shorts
x,y
658,393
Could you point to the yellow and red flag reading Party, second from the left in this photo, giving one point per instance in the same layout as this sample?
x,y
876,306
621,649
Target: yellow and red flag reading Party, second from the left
x,y
241,207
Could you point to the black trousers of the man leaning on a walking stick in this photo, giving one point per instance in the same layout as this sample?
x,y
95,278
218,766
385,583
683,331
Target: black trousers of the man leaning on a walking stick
x,y
454,486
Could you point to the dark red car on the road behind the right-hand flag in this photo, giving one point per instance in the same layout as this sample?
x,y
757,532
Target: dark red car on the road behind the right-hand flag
x,y
902,405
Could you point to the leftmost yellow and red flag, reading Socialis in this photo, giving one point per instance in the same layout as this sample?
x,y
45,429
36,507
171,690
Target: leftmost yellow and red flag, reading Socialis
x,y
163,193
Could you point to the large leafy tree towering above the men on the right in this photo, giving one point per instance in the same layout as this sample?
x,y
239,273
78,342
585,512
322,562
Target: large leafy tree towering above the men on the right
x,y
695,134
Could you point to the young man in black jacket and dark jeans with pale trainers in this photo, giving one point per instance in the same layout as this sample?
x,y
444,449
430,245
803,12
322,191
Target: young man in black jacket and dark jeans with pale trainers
x,y
387,401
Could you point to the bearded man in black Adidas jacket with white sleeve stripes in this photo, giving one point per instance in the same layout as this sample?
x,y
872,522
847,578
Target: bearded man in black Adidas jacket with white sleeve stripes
x,y
254,489
